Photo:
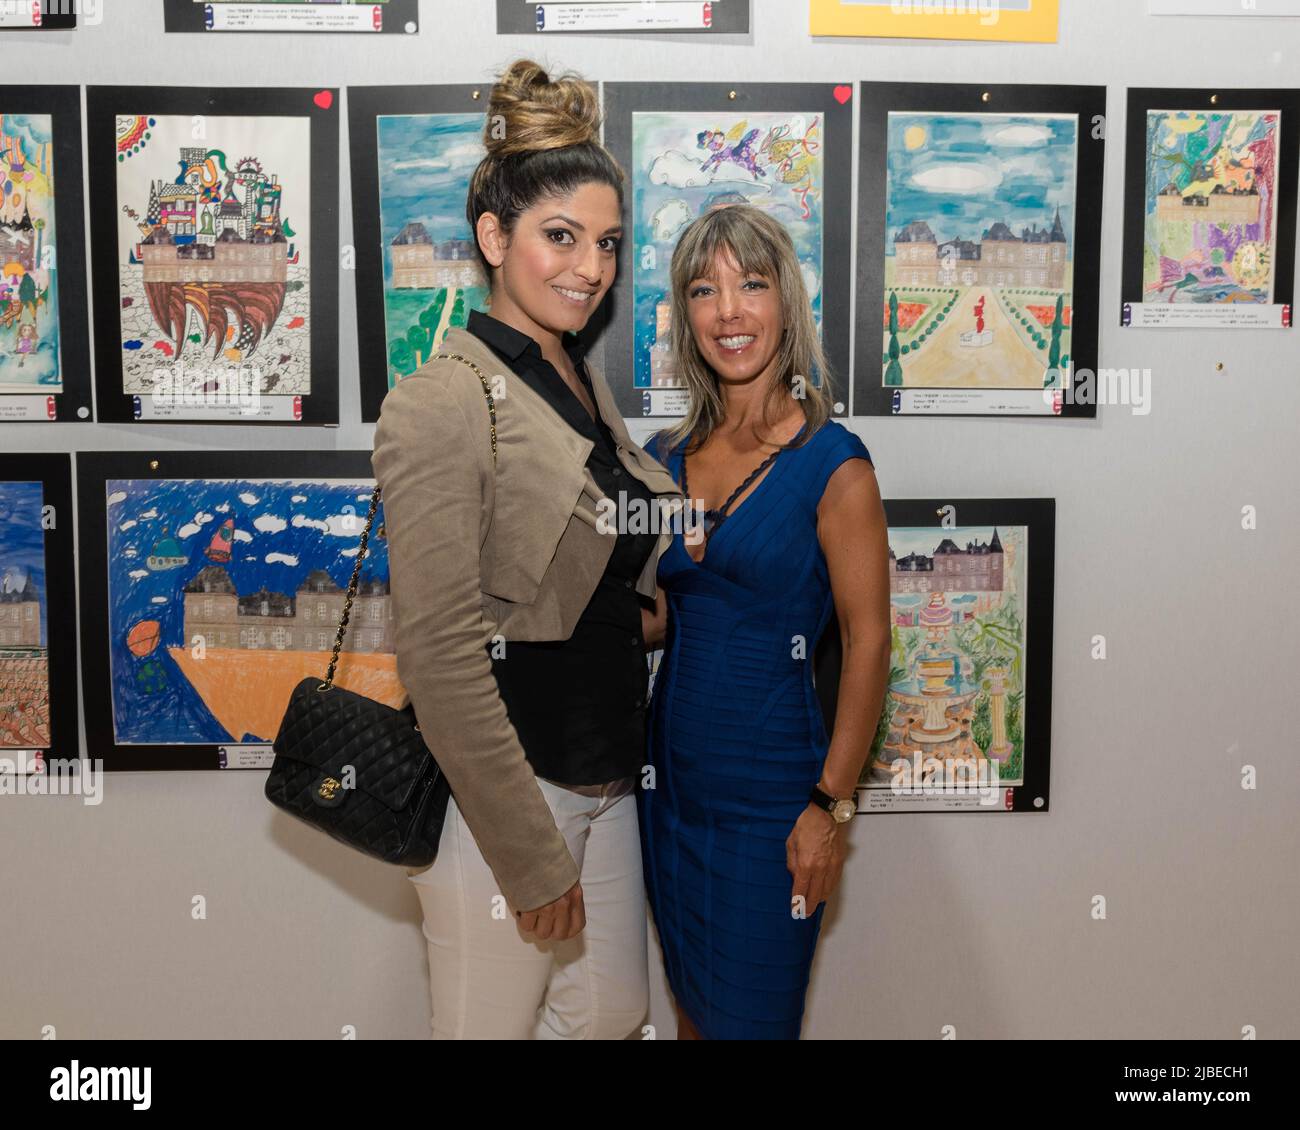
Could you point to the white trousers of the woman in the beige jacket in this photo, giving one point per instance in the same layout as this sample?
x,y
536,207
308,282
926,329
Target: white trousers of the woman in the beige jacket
x,y
492,981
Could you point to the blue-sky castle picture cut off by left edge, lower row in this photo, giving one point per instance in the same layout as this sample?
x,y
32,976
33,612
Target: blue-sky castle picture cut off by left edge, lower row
x,y
24,622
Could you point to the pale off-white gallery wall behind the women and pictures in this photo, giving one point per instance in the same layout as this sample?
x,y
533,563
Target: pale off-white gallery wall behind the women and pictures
x,y
982,923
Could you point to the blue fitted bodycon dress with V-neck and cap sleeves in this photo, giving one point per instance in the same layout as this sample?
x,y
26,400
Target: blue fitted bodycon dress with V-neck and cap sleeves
x,y
738,743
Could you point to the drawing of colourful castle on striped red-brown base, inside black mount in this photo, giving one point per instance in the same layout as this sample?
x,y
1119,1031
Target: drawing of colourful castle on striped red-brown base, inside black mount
x,y
214,233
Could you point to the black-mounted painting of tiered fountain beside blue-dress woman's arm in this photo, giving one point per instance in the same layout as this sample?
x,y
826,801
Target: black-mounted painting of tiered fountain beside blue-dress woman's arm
x,y
967,718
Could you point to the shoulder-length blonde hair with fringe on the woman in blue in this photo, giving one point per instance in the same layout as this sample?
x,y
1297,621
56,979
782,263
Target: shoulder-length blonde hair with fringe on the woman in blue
x,y
760,245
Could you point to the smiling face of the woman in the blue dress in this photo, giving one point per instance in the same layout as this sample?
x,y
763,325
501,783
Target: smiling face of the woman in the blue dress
x,y
736,321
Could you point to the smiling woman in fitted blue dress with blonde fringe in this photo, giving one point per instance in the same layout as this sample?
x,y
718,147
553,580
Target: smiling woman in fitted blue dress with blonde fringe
x,y
743,819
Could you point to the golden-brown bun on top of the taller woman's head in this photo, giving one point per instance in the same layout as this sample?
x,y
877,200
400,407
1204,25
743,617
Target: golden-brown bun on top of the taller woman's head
x,y
528,111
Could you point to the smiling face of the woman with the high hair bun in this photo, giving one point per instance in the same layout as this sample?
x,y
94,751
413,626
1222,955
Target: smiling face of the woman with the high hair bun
x,y
558,263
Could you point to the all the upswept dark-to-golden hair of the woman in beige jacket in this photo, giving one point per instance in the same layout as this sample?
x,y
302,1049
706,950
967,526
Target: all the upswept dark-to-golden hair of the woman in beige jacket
x,y
543,140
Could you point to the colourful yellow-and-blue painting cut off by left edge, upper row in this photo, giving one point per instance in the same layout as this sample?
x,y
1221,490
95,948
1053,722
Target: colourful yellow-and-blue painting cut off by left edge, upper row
x,y
31,360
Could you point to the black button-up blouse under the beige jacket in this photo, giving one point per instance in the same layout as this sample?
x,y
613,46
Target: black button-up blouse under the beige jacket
x,y
579,705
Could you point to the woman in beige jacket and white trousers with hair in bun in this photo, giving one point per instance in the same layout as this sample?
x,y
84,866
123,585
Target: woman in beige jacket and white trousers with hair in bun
x,y
518,608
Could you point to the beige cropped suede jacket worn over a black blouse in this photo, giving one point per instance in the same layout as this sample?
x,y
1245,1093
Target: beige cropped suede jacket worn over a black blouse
x,y
476,552
